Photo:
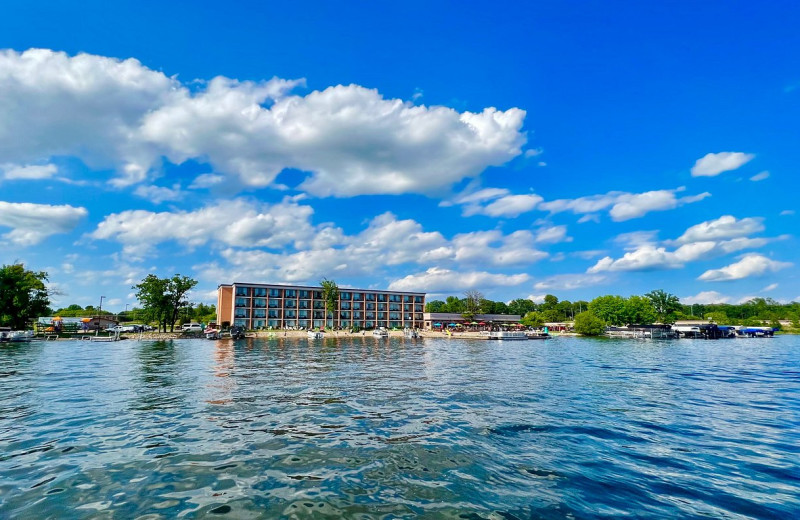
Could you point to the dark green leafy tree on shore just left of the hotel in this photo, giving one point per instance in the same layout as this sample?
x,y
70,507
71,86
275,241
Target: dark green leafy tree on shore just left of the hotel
x,y
163,298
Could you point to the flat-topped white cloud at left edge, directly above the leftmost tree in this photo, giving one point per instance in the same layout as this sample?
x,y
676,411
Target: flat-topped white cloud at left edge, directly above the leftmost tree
x,y
32,223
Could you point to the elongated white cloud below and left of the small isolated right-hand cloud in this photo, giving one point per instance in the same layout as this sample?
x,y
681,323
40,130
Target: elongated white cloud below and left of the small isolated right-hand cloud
x,y
623,206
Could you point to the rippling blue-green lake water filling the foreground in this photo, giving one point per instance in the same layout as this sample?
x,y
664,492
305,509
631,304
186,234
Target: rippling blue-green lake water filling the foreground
x,y
377,428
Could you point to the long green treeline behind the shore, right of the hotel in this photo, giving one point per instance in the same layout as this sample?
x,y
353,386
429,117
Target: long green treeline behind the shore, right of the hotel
x,y
657,306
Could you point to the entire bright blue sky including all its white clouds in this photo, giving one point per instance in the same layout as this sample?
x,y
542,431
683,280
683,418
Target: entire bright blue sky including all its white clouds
x,y
516,148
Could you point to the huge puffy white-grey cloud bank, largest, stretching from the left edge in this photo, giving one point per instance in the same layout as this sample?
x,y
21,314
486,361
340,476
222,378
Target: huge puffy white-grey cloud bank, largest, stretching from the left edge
x,y
351,140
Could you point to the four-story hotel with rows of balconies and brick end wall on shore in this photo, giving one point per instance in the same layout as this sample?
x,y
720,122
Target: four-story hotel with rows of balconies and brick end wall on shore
x,y
257,306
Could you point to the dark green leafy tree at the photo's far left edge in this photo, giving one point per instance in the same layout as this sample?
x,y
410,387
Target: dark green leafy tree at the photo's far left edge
x,y
23,295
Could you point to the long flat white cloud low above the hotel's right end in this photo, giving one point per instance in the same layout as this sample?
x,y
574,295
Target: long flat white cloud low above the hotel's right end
x,y
441,280
